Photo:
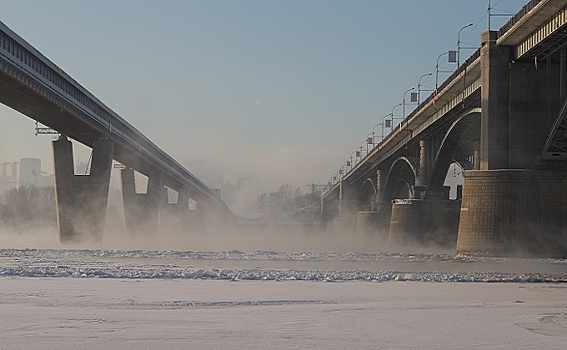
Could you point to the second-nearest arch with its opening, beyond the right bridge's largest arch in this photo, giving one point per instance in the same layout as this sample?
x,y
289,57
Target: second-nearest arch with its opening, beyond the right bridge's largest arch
x,y
401,177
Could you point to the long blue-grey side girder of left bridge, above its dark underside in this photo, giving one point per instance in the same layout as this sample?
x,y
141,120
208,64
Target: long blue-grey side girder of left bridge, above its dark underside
x,y
29,60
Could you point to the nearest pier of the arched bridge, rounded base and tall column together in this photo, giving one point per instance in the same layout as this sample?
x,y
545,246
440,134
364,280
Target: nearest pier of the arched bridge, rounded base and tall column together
x,y
514,205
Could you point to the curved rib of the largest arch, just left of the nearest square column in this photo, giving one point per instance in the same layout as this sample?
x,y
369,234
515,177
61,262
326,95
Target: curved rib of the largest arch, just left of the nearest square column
x,y
445,155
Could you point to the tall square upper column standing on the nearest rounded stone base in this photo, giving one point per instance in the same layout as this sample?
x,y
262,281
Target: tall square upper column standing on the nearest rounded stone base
x,y
520,101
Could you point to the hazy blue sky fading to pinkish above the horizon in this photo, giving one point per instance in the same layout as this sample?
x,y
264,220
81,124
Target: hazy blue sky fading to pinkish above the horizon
x,y
280,90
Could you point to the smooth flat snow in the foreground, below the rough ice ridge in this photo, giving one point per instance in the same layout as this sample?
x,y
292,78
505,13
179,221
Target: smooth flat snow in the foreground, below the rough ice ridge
x,y
94,313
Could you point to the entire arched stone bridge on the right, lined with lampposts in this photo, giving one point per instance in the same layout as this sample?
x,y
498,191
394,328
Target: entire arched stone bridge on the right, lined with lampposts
x,y
501,118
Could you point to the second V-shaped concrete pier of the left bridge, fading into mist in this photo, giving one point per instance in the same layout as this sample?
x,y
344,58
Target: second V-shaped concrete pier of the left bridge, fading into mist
x,y
141,210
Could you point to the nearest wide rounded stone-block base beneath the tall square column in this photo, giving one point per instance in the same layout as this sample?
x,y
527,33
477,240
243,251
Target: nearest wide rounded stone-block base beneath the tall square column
x,y
514,212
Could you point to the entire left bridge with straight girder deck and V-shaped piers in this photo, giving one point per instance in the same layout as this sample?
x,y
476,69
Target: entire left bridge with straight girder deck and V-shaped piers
x,y
34,86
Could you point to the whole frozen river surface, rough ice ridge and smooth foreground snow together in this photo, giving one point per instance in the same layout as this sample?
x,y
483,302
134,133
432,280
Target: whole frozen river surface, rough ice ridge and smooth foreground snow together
x,y
167,299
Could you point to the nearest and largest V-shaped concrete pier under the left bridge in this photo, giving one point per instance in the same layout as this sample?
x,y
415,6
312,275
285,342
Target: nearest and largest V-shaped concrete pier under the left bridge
x,y
82,199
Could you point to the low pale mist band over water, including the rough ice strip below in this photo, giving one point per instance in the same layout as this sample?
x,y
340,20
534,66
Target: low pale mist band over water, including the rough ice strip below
x,y
260,252
